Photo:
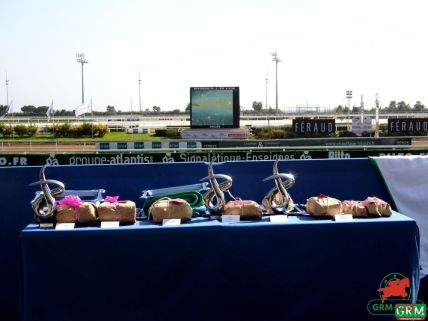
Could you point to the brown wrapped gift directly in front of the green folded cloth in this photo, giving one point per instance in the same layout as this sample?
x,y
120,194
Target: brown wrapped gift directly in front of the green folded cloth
x,y
170,208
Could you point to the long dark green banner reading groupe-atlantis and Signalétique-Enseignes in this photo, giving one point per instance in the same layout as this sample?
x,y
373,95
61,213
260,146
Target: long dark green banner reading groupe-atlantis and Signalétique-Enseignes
x,y
170,157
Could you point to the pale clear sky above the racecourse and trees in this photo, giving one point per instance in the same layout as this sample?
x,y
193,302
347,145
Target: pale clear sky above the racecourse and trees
x,y
326,47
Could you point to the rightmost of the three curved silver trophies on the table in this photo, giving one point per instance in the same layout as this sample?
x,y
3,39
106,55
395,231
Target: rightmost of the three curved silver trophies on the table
x,y
278,199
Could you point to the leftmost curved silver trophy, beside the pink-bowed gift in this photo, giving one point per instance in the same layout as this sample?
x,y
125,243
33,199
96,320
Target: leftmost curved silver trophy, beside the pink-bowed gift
x,y
44,202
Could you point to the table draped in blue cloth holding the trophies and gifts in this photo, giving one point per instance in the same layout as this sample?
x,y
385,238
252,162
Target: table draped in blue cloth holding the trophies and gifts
x,y
304,269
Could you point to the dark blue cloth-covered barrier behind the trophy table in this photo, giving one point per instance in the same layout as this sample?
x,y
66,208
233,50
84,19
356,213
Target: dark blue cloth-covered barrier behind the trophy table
x,y
341,178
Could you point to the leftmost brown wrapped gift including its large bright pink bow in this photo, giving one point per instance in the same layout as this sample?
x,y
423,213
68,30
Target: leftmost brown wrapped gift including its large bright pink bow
x,y
71,209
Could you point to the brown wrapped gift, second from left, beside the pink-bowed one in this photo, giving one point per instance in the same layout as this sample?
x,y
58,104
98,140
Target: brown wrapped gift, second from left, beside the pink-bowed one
x,y
122,211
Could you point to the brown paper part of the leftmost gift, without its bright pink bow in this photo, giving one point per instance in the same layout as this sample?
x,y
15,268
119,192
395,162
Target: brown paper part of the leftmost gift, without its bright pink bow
x,y
84,214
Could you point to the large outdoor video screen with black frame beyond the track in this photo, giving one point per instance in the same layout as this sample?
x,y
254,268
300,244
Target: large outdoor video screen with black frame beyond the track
x,y
214,107
